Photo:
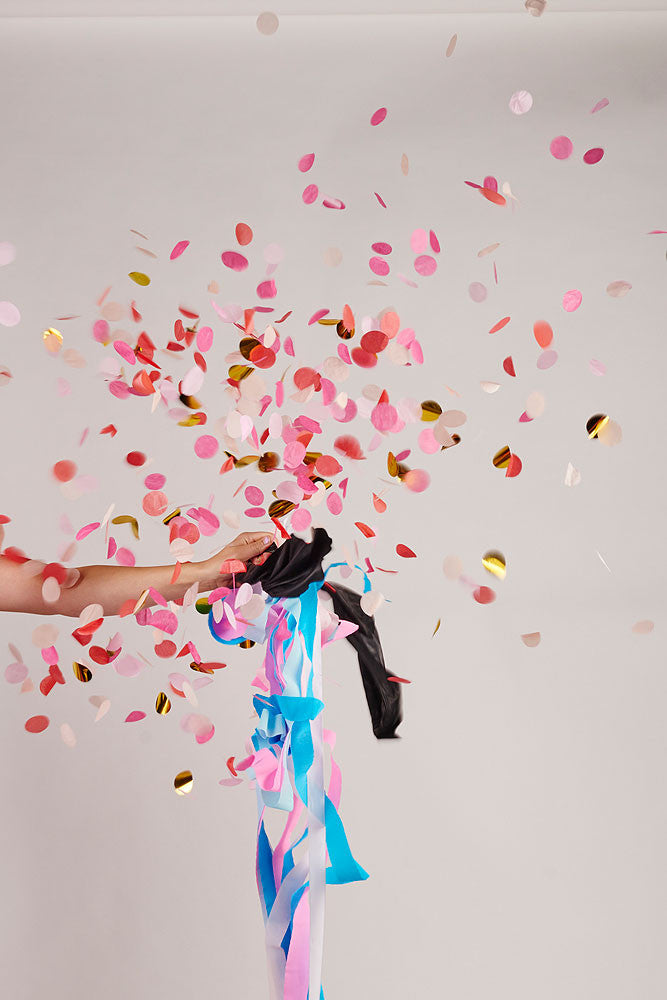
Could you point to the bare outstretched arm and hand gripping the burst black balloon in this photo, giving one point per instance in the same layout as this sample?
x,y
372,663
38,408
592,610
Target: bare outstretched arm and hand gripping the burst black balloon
x,y
112,586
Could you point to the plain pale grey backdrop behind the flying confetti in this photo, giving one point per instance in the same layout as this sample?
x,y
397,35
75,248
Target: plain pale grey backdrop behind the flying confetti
x,y
515,834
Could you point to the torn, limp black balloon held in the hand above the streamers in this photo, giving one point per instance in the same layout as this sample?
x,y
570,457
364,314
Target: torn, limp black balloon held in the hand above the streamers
x,y
288,572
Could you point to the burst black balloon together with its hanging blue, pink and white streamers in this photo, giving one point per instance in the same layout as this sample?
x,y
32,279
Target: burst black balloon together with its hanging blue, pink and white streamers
x,y
277,604
